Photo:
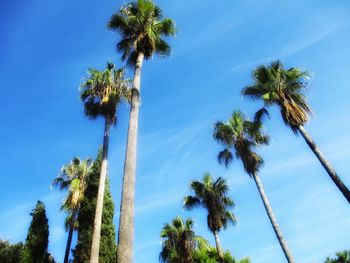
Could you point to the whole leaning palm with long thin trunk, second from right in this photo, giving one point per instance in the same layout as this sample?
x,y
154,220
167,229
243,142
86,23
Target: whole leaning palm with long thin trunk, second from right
x,y
239,136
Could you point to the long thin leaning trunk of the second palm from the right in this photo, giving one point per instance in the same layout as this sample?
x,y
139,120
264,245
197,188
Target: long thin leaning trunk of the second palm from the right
x,y
273,220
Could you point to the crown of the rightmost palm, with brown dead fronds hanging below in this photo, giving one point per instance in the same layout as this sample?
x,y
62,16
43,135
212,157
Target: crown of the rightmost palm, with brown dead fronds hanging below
x,y
284,87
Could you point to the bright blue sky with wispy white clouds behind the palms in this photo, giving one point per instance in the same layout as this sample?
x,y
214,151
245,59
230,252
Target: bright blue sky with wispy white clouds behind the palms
x,y
46,48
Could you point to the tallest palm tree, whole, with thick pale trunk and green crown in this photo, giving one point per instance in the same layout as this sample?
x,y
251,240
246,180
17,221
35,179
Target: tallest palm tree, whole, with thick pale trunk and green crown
x,y
142,26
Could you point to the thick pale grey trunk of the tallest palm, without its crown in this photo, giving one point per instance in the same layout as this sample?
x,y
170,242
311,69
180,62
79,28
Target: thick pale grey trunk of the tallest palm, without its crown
x,y
126,225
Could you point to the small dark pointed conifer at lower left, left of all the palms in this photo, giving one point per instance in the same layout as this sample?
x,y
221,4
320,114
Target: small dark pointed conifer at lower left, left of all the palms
x,y
35,247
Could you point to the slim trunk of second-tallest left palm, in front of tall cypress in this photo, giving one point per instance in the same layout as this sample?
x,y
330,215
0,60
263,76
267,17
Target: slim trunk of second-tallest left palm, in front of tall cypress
x,y
96,236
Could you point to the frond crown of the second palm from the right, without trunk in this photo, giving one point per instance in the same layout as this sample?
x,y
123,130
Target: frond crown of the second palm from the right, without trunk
x,y
239,136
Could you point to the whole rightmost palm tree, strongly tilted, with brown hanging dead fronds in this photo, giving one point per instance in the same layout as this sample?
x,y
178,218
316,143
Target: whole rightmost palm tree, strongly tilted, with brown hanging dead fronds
x,y
284,87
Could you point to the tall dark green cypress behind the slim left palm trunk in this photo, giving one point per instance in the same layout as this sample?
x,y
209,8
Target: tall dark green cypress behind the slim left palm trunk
x,y
86,219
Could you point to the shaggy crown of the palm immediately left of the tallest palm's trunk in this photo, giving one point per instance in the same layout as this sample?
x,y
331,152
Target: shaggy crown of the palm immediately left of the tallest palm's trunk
x,y
102,91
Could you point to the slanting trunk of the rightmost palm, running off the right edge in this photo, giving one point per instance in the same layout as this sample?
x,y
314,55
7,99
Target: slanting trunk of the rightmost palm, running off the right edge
x,y
330,170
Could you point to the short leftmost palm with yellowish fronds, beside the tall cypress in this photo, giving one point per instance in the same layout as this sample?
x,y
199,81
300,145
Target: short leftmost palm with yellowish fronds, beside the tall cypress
x,y
72,178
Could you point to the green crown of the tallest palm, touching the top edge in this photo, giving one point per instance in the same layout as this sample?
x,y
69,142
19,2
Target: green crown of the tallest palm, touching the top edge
x,y
141,25
